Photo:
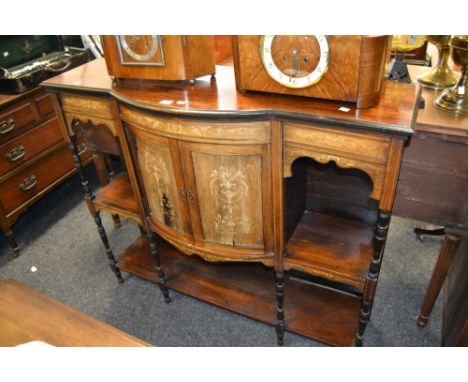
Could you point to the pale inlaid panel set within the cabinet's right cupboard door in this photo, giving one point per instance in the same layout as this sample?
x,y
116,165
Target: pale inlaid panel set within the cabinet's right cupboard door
x,y
229,189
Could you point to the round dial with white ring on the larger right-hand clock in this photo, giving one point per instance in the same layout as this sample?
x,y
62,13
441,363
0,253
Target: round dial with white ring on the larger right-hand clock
x,y
295,61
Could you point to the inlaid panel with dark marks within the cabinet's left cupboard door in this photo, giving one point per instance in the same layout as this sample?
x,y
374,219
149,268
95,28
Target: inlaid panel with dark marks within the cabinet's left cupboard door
x,y
160,185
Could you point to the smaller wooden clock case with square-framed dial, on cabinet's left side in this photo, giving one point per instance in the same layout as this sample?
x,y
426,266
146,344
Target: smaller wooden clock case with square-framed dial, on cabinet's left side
x,y
157,57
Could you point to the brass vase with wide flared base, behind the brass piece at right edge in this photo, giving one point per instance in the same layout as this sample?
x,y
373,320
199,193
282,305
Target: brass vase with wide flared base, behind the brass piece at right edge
x,y
440,76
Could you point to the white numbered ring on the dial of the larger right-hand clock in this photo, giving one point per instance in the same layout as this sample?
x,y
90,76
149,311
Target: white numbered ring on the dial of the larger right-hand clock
x,y
301,82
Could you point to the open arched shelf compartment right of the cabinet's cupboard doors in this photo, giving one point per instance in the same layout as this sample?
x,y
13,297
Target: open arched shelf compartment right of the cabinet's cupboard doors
x,y
330,222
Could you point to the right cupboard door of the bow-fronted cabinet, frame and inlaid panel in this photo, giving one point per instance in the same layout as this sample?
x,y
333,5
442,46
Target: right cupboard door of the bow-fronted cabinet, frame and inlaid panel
x,y
229,194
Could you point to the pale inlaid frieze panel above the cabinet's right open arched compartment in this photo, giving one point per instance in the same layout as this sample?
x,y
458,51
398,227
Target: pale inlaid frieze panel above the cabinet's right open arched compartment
x,y
353,144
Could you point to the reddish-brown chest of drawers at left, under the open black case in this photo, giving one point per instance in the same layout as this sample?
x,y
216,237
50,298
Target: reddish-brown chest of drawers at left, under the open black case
x,y
33,155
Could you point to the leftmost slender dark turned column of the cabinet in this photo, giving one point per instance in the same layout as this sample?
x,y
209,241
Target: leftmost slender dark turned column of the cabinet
x,y
89,202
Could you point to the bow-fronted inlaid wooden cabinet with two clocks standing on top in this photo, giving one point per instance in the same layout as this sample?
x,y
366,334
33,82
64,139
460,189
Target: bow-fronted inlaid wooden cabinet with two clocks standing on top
x,y
273,207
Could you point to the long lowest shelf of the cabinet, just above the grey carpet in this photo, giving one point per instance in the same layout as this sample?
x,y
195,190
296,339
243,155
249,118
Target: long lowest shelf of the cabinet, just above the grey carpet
x,y
313,311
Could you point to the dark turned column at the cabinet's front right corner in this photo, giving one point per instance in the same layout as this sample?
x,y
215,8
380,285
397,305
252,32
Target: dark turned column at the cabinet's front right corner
x,y
380,237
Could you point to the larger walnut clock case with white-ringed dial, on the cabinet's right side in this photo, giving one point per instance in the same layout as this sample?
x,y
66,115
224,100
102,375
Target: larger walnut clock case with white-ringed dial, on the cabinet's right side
x,y
342,68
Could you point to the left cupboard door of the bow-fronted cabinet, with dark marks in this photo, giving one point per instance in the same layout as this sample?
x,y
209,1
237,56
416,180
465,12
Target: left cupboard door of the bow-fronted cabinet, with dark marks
x,y
159,166
